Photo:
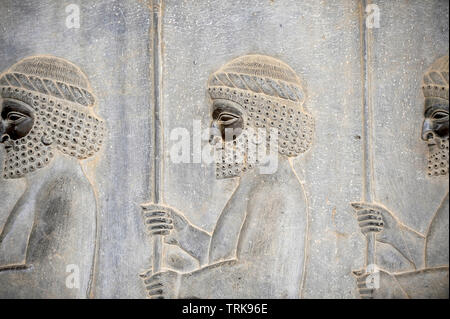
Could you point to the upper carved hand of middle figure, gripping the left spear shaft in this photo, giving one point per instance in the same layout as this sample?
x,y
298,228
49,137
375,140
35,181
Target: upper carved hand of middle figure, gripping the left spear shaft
x,y
164,220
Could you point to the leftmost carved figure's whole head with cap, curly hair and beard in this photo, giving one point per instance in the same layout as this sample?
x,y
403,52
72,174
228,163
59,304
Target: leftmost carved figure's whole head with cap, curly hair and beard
x,y
46,106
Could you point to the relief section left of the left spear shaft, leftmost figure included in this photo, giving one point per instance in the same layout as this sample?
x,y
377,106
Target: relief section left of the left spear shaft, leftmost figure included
x,y
111,47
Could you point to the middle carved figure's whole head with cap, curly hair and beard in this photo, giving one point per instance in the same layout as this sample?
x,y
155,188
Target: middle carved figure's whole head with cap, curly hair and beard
x,y
256,108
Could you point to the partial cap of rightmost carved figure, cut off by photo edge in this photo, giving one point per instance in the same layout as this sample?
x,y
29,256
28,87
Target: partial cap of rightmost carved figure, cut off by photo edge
x,y
435,79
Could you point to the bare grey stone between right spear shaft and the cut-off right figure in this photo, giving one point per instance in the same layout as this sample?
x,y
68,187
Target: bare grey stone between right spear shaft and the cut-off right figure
x,y
397,101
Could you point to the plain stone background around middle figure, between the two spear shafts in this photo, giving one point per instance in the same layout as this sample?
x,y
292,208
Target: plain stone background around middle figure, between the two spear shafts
x,y
322,52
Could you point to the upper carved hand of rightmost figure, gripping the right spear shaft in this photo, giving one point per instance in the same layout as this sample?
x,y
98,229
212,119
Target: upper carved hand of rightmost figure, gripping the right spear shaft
x,y
377,219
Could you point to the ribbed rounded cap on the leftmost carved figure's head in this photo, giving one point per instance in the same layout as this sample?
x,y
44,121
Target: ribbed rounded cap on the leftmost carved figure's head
x,y
52,76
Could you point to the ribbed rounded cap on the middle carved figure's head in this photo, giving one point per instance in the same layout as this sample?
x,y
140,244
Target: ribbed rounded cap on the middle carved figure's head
x,y
260,74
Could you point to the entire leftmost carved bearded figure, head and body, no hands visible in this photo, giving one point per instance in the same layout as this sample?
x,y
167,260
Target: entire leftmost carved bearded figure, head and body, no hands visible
x,y
47,126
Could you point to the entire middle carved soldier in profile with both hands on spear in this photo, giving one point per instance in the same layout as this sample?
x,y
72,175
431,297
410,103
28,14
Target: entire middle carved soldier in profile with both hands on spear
x,y
258,247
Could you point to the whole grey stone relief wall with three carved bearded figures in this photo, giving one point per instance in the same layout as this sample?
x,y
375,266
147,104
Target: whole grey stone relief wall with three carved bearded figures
x,y
160,71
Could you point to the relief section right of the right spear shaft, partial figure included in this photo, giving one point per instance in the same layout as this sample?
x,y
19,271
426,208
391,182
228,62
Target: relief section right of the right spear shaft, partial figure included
x,y
407,185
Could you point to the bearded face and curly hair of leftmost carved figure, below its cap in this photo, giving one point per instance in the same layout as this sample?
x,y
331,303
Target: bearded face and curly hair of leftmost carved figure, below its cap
x,y
34,126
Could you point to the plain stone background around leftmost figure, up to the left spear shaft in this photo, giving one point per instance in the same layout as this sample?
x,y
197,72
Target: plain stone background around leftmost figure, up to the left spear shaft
x,y
112,48
